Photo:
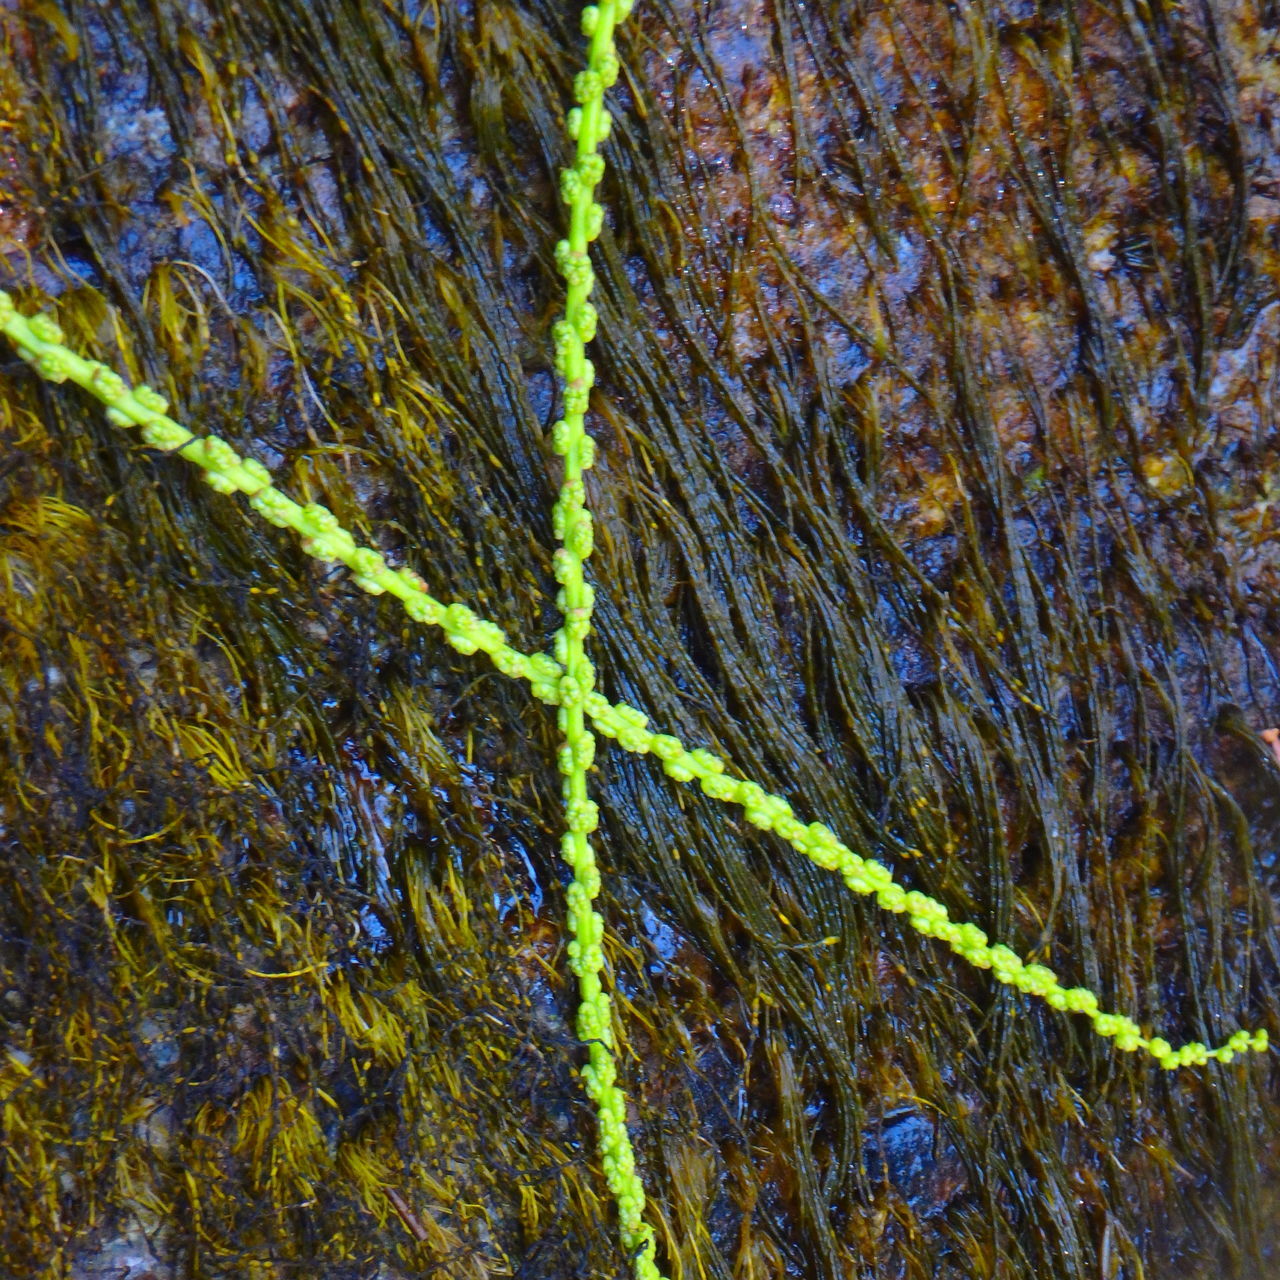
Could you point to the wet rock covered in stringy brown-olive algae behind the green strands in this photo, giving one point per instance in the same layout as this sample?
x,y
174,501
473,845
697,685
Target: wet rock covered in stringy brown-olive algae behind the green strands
x,y
935,459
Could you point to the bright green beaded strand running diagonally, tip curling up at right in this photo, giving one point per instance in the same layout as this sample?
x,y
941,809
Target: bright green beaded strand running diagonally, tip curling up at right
x,y
40,342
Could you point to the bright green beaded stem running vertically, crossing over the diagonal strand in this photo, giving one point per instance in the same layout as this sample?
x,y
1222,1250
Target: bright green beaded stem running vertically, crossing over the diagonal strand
x,y
588,125
